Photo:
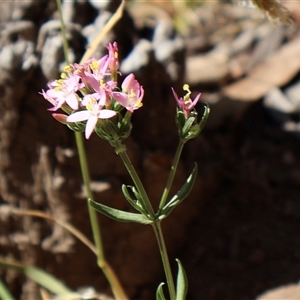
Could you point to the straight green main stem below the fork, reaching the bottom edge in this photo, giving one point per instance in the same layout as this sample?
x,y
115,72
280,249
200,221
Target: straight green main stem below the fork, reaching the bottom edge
x,y
165,259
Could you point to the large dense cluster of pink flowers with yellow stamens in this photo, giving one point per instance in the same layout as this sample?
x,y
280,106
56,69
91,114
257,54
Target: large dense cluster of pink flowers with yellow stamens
x,y
88,92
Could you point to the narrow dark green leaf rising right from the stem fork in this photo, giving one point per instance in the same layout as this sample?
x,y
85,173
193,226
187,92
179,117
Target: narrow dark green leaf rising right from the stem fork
x,y
180,196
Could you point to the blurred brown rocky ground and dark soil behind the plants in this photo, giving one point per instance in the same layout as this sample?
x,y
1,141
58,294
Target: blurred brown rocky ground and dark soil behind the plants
x,y
237,234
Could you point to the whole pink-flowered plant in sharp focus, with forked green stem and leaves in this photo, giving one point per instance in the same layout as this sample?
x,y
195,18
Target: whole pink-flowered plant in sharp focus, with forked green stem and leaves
x,y
92,101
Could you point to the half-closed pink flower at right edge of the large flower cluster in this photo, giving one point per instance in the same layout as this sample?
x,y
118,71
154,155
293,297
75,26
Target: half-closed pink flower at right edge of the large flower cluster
x,y
132,94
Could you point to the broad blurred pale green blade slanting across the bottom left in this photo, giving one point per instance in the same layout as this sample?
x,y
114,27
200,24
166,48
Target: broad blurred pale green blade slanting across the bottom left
x,y
39,276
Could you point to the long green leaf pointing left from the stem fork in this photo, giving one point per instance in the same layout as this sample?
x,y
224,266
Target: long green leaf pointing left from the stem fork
x,y
119,215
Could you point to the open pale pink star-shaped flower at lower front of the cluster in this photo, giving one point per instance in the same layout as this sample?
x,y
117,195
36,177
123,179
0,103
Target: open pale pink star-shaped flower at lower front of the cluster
x,y
94,111
